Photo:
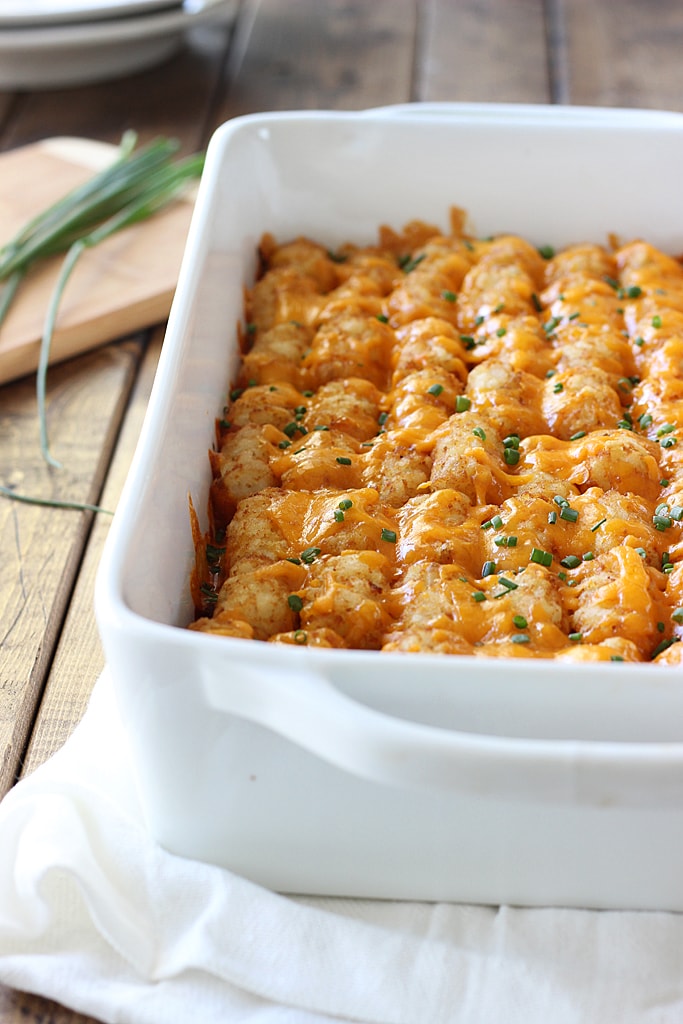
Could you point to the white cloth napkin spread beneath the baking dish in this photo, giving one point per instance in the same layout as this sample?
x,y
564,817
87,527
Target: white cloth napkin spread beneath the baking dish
x,y
98,917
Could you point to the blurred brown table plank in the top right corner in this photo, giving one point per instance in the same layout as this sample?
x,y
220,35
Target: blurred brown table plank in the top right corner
x,y
618,56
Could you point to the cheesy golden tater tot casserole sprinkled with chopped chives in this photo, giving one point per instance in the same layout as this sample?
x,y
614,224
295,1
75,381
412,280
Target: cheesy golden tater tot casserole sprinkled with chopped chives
x,y
452,445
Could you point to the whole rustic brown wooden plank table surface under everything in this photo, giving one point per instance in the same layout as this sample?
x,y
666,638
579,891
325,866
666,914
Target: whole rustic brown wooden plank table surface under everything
x,y
280,55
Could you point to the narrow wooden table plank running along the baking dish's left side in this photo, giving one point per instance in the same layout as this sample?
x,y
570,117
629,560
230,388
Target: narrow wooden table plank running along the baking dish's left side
x,y
79,658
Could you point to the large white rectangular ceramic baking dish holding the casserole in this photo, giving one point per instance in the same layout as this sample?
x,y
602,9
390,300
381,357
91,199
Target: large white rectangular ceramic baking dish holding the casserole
x,y
362,774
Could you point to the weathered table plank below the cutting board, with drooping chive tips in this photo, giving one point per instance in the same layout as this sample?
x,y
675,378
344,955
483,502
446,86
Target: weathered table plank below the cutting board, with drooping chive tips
x,y
42,547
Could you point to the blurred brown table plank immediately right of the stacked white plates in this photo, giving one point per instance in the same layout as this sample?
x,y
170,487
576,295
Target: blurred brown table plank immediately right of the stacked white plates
x,y
340,55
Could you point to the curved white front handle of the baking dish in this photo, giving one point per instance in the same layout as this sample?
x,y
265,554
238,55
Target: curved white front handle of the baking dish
x,y
311,712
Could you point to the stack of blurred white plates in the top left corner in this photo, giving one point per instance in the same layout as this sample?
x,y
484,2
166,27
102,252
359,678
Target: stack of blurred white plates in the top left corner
x,y
54,44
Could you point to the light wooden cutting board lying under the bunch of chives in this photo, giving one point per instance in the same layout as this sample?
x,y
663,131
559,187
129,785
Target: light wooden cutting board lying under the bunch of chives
x,y
122,286
